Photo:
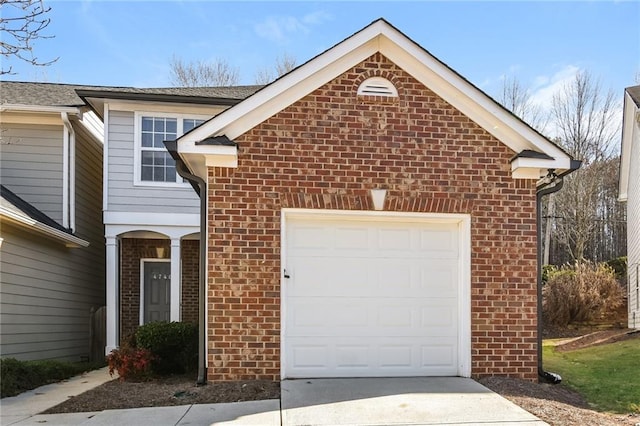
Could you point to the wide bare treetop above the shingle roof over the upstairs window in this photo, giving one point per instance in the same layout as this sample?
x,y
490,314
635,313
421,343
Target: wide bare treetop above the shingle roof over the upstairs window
x,y
200,74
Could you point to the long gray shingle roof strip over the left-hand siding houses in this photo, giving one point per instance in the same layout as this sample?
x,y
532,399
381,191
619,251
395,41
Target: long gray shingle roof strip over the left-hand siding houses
x,y
64,95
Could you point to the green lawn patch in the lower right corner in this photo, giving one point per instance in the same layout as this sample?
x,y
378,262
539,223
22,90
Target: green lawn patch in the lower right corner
x,y
607,376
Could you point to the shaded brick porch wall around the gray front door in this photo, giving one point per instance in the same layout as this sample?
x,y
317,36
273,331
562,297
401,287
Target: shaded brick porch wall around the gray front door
x,y
133,250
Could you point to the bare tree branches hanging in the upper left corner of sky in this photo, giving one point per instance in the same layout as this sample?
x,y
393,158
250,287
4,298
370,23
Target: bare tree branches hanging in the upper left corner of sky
x,y
21,23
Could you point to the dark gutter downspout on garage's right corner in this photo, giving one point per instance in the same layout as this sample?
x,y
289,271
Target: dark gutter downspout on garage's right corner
x,y
557,182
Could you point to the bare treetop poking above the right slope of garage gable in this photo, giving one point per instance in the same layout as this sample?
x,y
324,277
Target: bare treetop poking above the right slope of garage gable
x,y
517,99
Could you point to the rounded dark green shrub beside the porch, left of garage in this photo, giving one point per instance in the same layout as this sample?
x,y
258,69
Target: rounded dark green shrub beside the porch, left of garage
x,y
174,346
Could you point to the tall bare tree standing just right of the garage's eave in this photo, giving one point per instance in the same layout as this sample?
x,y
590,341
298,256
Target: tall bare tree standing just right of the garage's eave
x,y
583,116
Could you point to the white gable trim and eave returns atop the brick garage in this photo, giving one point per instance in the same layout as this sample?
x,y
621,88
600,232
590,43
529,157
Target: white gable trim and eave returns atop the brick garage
x,y
381,36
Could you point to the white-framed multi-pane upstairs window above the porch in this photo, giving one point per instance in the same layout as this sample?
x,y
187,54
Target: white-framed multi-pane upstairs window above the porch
x,y
153,164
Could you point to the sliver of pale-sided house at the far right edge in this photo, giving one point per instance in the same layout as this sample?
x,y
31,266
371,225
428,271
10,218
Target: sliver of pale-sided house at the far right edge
x,y
630,192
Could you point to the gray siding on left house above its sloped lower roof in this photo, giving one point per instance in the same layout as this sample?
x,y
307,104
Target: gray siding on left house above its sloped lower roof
x,y
31,165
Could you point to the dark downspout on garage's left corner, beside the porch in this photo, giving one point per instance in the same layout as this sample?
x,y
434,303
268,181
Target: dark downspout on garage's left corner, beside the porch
x,y
200,187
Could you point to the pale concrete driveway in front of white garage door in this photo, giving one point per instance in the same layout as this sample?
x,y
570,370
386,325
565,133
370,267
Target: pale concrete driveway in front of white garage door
x,y
397,401
